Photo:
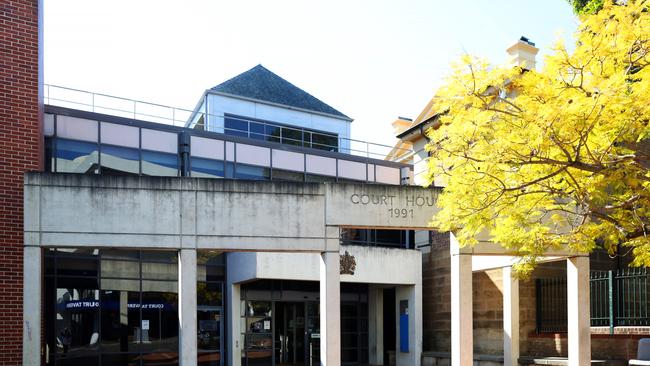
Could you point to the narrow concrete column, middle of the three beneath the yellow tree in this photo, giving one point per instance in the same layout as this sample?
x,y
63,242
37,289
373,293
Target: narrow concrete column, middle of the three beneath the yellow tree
x,y
510,318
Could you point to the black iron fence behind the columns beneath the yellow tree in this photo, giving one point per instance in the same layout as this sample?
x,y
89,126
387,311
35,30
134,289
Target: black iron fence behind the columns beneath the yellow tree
x,y
618,298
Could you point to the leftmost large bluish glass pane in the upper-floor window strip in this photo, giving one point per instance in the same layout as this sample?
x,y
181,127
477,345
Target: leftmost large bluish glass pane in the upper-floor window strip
x,y
76,157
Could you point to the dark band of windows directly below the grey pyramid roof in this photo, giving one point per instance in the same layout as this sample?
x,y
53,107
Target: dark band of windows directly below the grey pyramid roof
x,y
274,132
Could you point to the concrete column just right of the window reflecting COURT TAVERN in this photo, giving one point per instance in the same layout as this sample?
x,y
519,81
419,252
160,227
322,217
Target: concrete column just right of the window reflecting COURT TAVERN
x,y
187,307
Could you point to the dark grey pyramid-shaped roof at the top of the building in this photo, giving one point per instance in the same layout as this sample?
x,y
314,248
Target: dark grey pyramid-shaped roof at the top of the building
x,y
262,84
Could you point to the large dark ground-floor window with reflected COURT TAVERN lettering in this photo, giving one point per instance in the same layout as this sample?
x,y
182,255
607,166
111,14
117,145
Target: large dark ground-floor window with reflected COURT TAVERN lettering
x,y
92,313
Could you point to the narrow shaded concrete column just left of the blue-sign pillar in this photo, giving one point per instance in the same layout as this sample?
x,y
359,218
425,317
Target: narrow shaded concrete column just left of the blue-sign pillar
x,y
376,325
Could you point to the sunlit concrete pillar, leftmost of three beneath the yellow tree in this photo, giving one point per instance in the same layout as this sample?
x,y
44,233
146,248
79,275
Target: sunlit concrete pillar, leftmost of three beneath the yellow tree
x,y
462,342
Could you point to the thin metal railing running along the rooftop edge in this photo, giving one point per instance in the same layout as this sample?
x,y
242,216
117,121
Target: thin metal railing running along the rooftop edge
x,y
151,112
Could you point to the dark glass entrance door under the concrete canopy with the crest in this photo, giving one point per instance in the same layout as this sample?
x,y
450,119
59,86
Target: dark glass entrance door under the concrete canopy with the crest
x,y
290,334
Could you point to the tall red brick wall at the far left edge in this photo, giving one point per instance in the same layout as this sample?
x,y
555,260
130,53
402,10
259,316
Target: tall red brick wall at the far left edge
x,y
20,151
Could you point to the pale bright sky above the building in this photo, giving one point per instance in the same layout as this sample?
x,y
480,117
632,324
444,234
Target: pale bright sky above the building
x,y
373,60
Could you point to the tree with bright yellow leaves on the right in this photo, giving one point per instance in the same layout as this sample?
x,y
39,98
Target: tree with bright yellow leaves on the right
x,y
559,156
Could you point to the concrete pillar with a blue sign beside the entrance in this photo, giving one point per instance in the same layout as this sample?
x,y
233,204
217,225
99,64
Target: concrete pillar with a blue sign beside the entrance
x,y
412,294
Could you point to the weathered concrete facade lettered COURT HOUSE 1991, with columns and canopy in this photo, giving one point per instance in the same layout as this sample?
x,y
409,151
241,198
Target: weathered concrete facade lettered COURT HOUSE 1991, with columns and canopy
x,y
293,224
